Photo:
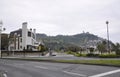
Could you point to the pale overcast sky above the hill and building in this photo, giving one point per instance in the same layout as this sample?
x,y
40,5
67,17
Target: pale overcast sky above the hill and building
x,y
66,17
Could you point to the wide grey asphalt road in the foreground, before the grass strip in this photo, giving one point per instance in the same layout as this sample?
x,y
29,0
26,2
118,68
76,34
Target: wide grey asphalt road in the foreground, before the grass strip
x,y
14,68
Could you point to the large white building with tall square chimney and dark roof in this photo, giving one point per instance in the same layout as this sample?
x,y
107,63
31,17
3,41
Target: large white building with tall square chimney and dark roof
x,y
23,39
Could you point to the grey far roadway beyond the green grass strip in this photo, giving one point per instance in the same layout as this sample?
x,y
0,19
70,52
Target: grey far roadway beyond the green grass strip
x,y
61,56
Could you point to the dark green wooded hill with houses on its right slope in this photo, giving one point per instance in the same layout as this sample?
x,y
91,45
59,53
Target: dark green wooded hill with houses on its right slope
x,y
81,40
